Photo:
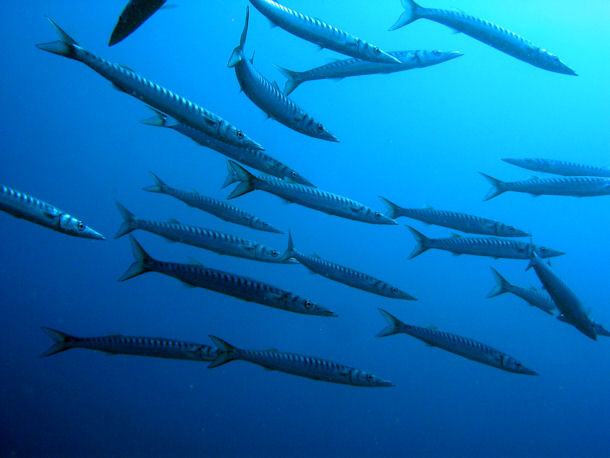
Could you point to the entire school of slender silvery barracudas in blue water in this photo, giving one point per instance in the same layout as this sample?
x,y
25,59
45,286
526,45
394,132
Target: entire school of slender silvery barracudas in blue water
x,y
210,130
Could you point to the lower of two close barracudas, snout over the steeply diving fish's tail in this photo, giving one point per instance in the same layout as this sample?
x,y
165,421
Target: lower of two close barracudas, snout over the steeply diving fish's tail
x,y
480,246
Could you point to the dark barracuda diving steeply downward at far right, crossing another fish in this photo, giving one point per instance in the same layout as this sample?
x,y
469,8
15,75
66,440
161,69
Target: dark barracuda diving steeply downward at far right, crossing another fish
x,y
564,298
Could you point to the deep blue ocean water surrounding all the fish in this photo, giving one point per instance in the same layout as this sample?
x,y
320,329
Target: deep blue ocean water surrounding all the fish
x,y
417,137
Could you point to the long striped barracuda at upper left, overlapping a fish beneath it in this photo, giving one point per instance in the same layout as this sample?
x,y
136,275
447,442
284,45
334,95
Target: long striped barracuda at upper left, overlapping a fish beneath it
x,y
150,93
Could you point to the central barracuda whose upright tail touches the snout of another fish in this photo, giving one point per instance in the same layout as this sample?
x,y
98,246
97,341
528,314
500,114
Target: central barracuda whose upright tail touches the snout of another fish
x,y
344,275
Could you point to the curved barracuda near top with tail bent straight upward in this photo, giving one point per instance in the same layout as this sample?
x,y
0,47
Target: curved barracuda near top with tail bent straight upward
x,y
269,98
